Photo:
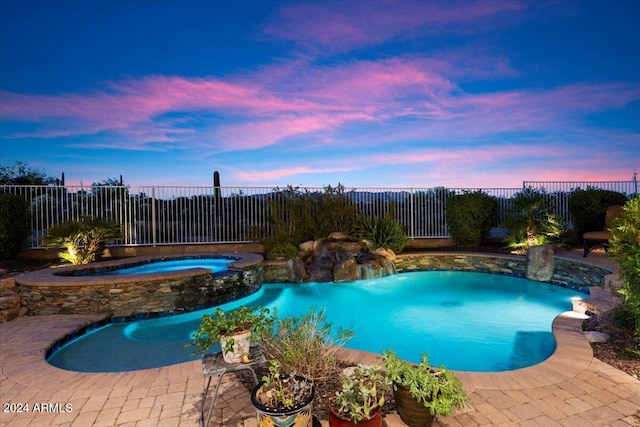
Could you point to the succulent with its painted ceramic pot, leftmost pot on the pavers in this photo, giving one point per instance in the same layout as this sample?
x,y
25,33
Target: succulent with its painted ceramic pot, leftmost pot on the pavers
x,y
283,400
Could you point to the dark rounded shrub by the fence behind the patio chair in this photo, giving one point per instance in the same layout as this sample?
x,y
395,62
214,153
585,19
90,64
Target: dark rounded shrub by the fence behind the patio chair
x,y
588,208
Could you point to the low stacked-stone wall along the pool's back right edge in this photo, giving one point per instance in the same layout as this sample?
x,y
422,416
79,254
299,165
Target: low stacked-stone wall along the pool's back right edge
x,y
567,273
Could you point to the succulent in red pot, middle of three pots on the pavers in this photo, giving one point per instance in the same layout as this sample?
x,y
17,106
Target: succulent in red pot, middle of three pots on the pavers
x,y
360,400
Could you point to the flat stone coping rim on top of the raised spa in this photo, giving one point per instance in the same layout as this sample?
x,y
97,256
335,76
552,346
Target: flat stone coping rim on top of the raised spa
x,y
56,276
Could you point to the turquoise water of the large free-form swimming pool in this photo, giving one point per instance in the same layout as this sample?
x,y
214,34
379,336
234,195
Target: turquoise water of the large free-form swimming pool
x,y
466,321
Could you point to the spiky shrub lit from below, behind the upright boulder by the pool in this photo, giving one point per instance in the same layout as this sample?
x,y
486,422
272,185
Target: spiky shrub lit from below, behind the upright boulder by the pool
x,y
531,222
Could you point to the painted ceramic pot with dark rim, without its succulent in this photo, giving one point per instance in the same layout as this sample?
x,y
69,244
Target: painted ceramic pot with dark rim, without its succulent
x,y
299,416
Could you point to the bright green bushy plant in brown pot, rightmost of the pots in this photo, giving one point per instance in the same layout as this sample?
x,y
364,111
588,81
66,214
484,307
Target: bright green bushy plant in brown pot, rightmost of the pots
x,y
422,391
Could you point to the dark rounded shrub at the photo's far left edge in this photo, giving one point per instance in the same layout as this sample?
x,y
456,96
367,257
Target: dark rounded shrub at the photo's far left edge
x,y
15,224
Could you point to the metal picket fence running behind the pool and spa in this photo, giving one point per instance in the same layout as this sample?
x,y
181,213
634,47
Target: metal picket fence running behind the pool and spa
x,y
163,215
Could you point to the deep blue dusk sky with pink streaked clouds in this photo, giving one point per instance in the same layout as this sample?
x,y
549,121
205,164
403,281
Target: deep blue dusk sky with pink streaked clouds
x,y
366,93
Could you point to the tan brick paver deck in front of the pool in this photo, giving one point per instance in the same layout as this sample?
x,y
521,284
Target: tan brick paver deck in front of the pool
x,y
571,388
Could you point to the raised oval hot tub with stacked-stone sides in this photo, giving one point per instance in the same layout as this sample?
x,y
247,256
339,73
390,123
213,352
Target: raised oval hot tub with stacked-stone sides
x,y
82,289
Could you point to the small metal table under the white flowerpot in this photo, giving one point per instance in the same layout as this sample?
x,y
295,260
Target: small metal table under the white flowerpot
x,y
213,365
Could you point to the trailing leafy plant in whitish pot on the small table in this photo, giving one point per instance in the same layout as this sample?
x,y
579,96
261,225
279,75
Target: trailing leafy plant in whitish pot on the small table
x,y
233,329
